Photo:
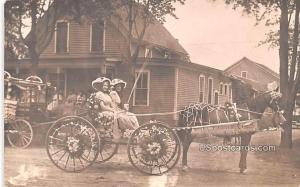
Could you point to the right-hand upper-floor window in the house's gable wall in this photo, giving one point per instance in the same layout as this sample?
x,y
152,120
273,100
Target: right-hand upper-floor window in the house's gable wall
x,y
97,37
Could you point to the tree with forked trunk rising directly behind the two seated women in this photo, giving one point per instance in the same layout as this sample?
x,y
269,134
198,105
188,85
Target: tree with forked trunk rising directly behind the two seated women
x,y
139,15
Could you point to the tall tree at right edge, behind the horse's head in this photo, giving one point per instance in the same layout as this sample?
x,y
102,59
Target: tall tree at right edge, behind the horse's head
x,y
284,14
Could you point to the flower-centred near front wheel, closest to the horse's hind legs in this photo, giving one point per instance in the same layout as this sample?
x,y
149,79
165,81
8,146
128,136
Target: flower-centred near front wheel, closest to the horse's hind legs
x,y
154,148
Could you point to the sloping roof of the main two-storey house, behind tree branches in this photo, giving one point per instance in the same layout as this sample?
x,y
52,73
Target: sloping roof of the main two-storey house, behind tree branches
x,y
155,34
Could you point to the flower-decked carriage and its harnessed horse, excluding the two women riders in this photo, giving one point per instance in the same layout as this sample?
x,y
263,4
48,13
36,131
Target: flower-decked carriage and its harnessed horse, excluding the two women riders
x,y
74,143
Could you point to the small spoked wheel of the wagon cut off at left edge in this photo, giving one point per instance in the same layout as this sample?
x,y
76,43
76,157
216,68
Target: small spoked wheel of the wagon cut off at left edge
x,y
20,133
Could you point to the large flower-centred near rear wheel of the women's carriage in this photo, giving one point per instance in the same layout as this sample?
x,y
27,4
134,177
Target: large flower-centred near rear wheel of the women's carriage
x,y
72,144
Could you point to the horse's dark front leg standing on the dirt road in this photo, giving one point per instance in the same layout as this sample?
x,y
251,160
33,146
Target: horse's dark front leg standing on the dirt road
x,y
245,141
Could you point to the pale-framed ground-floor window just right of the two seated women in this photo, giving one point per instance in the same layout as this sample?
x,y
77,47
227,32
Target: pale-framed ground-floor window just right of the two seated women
x,y
141,92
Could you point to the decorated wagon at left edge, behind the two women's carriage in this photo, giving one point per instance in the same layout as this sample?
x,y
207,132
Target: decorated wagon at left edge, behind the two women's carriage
x,y
25,104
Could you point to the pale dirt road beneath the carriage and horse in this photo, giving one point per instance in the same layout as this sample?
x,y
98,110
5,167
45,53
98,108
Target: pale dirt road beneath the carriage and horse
x,y
31,167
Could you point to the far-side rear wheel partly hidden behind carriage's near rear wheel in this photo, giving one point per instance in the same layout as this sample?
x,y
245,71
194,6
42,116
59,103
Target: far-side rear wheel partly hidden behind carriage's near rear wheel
x,y
107,150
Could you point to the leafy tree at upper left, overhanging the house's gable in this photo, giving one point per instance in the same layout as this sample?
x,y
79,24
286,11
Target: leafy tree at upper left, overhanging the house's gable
x,y
42,16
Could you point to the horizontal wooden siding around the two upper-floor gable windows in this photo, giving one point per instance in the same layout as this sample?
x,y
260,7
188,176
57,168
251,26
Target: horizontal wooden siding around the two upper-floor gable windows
x,y
79,43
